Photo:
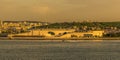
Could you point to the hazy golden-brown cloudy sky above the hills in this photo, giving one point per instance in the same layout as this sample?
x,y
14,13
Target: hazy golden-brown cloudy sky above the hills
x,y
60,10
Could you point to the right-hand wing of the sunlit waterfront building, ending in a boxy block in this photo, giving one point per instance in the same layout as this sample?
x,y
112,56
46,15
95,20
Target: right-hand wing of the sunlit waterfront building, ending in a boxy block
x,y
84,34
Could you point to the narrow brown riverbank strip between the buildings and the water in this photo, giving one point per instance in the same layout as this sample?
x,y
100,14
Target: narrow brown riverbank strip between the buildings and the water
x,y
39,38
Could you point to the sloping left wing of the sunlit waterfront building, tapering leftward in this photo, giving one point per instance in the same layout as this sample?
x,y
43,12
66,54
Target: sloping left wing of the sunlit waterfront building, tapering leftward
x,y
45,32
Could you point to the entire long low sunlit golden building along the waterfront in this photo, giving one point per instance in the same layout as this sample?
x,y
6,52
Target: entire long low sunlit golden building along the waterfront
x,y
61,33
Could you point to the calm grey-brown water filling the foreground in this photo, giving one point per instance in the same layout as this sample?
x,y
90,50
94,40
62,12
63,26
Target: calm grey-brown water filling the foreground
x,y
70,50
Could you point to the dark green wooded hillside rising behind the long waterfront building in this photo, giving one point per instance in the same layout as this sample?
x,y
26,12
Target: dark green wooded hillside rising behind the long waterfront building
x,y
101,25
